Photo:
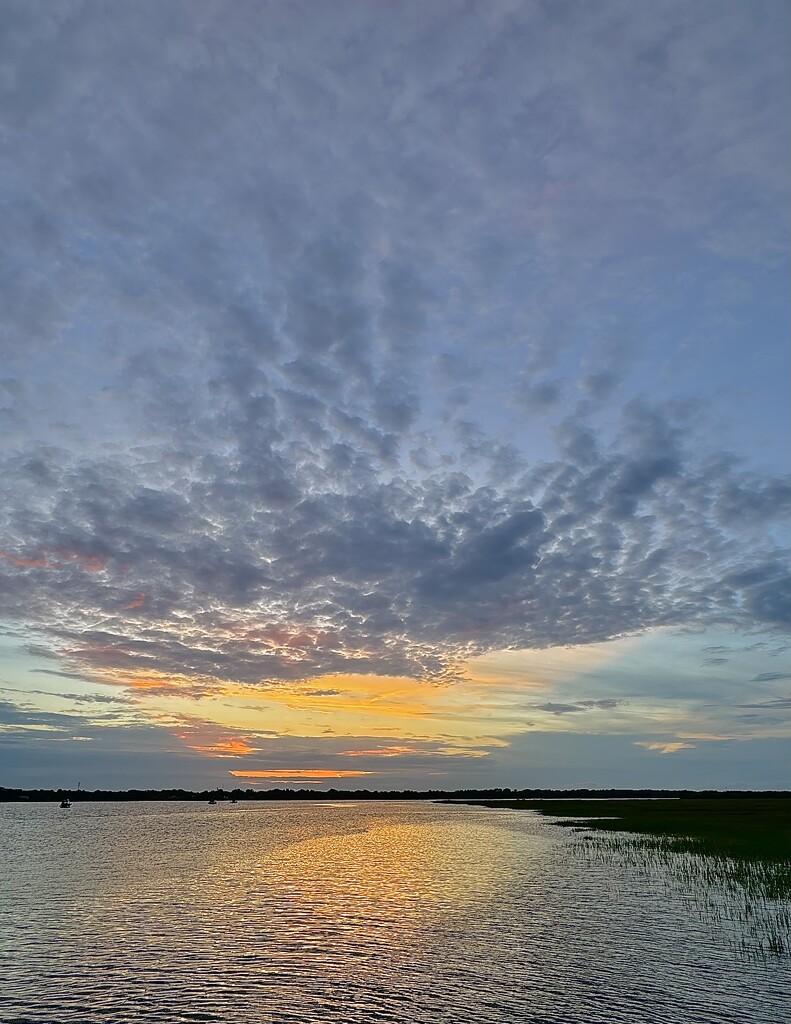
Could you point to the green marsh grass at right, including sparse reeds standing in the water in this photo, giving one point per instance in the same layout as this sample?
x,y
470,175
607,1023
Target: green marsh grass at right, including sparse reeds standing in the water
x,y
730,859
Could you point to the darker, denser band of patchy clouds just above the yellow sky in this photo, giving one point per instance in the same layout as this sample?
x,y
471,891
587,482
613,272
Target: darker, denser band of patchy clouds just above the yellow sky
x,y
401,578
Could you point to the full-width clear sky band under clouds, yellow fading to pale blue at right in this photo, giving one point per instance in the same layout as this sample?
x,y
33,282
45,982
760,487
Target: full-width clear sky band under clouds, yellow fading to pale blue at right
x,y
385,723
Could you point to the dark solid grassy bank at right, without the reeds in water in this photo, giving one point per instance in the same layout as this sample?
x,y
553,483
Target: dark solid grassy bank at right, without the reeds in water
x,y
753,829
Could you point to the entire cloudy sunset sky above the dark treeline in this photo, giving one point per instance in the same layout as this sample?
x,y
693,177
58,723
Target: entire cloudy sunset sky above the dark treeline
x,y
395,396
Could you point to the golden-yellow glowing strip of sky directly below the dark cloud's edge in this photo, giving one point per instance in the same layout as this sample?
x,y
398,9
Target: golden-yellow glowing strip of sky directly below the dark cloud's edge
x,y
489,703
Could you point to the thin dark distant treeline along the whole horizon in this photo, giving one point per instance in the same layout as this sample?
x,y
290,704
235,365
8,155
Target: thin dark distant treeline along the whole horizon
x,y
8,795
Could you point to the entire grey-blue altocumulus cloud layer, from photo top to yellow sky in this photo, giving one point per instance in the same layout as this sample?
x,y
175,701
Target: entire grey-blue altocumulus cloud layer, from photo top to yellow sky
x,y
257,257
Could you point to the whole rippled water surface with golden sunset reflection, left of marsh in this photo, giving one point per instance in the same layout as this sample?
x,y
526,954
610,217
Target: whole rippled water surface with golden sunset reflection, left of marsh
x,y
346,913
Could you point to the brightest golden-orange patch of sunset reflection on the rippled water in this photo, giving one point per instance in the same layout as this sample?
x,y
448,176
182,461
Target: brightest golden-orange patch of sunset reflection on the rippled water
x,y
370,894
